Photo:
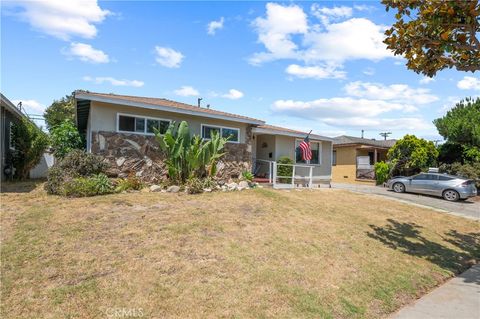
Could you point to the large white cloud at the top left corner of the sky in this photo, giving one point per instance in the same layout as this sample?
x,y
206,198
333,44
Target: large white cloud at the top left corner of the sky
x,y
63,19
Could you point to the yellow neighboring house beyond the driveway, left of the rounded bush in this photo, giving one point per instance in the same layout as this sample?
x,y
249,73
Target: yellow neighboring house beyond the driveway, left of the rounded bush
x,y
354,158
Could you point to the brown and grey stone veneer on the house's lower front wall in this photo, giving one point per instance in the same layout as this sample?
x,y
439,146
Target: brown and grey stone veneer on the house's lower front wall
x,y
140,155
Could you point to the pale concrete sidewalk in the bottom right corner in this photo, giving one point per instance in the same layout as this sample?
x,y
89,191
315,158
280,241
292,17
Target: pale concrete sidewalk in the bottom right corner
x,y
459,298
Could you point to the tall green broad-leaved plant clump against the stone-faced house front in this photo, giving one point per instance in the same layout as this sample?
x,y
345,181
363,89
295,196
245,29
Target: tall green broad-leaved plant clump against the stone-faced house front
x,y
187,157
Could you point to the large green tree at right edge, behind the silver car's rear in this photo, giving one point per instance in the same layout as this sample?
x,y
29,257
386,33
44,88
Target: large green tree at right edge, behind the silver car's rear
x,y
461,128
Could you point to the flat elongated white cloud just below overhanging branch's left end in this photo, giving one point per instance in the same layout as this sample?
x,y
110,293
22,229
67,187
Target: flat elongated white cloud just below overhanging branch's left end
x,y
395,92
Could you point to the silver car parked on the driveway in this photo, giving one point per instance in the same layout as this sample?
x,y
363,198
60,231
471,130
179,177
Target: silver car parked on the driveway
x,y
451,188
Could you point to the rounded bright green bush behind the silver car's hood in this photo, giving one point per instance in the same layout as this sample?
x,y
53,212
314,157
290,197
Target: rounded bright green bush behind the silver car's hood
x,y
411,155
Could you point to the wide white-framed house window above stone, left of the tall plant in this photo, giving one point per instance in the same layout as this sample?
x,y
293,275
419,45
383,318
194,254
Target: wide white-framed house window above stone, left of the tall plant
x,y
141,125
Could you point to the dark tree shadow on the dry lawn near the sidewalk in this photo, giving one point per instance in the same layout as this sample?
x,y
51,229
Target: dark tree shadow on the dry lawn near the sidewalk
x,y
407,238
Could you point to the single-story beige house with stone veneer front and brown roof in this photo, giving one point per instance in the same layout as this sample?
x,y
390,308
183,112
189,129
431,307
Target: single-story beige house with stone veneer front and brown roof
x,y
120,128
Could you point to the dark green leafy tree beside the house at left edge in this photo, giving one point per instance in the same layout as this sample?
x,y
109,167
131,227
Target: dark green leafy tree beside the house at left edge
x,y
30,142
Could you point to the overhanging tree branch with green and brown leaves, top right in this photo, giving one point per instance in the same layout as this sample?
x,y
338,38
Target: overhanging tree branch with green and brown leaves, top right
x,y
433,35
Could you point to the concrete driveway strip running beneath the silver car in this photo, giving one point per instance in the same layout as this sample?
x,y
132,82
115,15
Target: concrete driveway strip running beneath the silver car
x,y
469,209
